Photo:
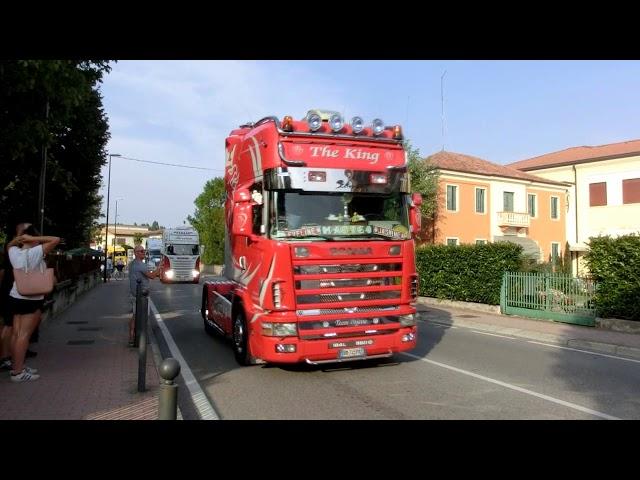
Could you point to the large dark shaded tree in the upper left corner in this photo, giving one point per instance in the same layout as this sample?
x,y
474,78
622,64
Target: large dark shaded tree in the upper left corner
x,y
74,132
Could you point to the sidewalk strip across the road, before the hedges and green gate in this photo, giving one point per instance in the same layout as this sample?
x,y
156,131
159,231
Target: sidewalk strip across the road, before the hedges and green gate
x,y
573,336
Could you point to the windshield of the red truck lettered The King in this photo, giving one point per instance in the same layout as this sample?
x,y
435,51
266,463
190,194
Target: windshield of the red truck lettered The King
x,y
328,215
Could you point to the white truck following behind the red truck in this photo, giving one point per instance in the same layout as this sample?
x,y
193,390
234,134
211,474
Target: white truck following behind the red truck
x,y
180,255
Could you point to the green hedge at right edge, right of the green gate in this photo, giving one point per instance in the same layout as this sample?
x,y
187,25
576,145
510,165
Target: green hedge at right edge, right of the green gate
x,y
615,264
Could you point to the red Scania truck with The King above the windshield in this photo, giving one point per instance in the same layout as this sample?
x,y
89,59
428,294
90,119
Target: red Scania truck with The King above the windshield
x,y
319,255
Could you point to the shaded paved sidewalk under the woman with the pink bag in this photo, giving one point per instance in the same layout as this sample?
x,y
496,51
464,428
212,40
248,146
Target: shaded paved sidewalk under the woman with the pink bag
x,y
87,371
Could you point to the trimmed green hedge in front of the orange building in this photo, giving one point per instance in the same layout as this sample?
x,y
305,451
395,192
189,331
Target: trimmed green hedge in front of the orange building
x,y
469,273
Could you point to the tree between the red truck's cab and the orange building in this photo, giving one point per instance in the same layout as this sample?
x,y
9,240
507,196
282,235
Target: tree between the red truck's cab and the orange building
x,y
424,180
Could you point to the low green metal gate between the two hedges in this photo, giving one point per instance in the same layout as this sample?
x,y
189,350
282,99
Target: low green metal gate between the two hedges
x,y
551,296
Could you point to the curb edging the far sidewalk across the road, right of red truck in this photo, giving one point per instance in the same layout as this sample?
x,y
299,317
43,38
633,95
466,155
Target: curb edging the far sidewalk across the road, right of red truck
x,y
600,347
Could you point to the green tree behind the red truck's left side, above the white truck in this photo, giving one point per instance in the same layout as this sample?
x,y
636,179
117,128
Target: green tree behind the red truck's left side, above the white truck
x,y
208,220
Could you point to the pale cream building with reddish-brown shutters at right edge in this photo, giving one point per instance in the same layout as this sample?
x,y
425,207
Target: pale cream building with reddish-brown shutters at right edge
x,y
605,192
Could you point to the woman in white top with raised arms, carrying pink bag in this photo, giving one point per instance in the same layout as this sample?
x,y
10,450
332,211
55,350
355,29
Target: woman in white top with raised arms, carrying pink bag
x,y
29,248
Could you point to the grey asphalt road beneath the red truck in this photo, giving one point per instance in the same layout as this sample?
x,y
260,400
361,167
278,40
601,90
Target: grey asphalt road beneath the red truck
x,y
454,373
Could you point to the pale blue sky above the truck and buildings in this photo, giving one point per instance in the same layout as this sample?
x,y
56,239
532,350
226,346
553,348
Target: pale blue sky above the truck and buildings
x,y
180,112
